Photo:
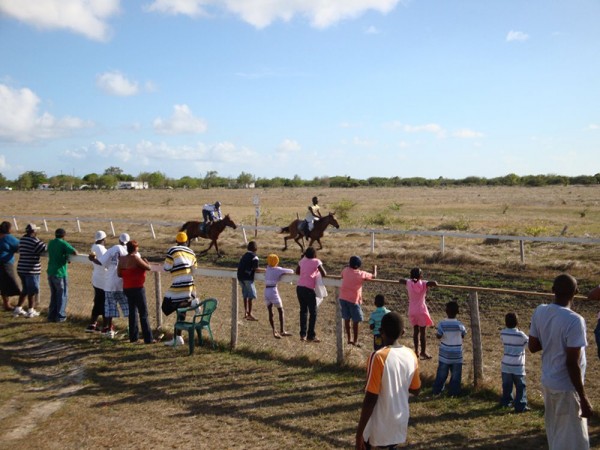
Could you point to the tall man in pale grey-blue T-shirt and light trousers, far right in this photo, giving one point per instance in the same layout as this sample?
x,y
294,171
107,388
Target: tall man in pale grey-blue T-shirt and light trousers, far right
x,y
560,334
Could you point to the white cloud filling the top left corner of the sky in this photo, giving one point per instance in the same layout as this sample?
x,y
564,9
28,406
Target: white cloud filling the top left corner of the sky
x,y
86,17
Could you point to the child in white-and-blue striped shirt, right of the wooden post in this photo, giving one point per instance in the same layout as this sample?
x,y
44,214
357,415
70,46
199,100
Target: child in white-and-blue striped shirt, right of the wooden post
x,y
513,364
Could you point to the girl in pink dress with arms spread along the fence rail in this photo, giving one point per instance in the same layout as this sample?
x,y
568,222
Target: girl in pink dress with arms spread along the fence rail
x,y
418,314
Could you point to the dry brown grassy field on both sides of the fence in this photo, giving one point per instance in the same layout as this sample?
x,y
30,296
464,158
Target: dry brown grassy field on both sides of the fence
x,y
66,389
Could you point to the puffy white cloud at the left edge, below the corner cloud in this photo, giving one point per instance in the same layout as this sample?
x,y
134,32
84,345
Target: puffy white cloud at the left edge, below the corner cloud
x,y
20,120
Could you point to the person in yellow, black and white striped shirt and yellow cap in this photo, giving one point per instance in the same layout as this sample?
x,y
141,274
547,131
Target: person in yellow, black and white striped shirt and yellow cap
x,y
180,262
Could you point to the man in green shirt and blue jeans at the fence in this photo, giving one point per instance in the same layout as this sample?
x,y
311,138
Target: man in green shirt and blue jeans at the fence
x,y
58,258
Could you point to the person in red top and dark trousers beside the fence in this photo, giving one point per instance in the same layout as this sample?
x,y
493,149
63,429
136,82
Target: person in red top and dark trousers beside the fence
x,y
132,269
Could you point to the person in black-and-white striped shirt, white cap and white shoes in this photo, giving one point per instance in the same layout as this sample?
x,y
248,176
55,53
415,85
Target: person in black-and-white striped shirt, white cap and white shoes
x,y
29,269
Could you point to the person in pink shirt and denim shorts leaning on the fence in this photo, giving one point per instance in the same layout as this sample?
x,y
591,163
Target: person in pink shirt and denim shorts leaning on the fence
x,y
351,296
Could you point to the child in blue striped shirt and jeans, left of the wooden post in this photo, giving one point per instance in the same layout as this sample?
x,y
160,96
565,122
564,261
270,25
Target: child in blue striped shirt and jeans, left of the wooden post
x,y
451,332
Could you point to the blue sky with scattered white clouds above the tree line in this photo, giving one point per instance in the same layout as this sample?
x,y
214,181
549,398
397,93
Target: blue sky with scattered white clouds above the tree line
x,y
301,87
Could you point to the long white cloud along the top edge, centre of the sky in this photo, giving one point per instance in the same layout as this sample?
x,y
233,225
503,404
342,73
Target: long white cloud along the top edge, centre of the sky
x,y
261,13
